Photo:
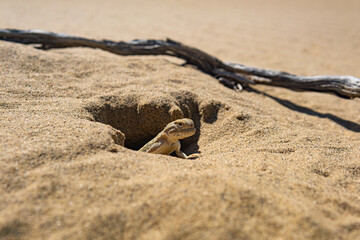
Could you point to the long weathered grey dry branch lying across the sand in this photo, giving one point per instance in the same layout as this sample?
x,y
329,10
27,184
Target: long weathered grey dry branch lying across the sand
x,y
230,74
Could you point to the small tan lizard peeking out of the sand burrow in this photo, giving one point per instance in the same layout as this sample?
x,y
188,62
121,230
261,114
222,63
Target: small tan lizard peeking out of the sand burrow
x,y
167,141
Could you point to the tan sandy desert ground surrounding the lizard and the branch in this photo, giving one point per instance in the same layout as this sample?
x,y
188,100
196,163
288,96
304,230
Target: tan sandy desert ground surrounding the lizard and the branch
x,y
276,164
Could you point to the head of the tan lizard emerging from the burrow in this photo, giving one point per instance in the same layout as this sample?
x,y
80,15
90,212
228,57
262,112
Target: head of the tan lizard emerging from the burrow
x,y
179,129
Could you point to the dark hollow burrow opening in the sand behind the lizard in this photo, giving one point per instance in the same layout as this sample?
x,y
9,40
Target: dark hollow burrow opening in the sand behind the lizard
x,y
142,115
